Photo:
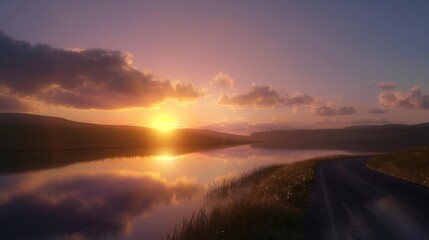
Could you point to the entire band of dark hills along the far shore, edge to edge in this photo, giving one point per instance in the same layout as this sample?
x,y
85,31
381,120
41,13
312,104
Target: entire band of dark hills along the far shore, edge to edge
x,y
27,132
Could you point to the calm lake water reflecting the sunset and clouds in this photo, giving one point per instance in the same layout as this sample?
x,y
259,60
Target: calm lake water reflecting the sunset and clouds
x,y
133,194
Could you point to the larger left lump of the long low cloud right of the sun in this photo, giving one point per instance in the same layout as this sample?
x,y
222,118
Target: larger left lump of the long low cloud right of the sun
x,y
258,97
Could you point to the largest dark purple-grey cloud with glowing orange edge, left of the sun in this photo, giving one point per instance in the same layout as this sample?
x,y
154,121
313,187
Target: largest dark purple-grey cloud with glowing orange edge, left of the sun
x,y
83,78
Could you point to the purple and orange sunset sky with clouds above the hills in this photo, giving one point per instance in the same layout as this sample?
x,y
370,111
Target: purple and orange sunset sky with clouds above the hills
x,y
234,66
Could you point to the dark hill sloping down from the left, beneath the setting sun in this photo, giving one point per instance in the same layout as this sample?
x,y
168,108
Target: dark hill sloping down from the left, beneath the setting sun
x,y
27,132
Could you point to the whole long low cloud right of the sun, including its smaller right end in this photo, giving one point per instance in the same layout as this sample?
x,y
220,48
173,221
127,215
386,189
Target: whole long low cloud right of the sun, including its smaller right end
x,y
263,97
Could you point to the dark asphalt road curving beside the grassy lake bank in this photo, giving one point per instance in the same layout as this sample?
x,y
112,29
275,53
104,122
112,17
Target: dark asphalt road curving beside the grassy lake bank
x,y
352,201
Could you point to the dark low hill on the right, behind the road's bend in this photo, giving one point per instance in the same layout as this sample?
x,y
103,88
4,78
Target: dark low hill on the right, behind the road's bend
x,y
360,138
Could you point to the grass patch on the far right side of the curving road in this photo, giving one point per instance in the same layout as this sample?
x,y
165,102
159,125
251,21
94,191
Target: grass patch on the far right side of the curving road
x,y
409,165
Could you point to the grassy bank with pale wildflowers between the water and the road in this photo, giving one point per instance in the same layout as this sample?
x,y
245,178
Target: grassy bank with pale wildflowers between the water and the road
x,y
268,203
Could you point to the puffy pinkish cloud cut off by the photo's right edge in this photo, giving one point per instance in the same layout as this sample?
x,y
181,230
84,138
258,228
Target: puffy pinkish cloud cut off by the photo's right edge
x,y
400,99
